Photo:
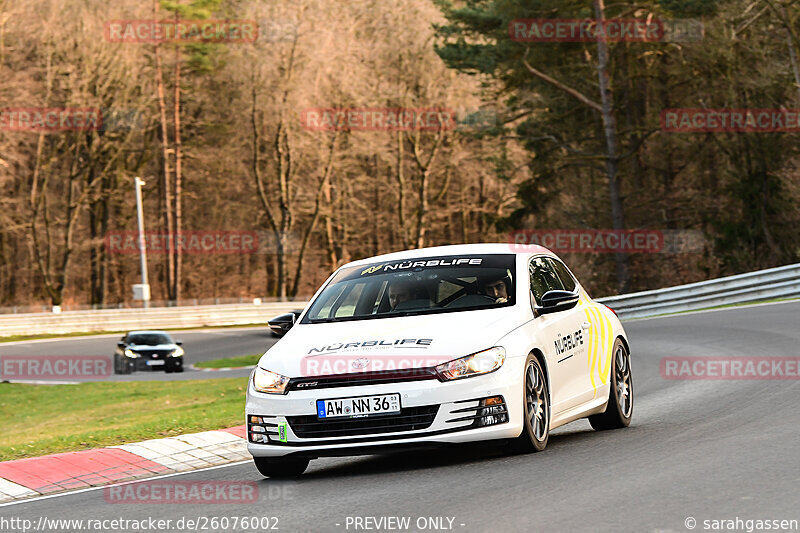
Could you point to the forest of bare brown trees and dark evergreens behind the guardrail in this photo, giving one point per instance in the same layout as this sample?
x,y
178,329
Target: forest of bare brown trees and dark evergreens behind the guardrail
x,y
542,135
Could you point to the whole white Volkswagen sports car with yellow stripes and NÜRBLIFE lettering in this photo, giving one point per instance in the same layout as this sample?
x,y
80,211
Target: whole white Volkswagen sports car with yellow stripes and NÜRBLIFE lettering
x,y
438,346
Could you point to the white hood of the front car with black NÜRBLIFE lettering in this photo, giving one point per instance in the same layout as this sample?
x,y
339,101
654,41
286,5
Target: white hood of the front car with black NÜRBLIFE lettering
x,y
309,350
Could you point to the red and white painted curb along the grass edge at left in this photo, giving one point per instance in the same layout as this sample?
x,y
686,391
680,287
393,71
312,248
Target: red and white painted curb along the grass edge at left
x,y
26,478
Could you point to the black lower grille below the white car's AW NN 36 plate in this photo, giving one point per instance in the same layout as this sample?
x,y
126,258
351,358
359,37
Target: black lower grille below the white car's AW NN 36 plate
x,y
409,419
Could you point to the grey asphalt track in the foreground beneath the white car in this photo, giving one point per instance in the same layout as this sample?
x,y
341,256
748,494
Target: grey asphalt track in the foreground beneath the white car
x,y
701,450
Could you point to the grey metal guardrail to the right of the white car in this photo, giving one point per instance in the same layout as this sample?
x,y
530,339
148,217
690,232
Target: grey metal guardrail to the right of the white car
x,y
781,282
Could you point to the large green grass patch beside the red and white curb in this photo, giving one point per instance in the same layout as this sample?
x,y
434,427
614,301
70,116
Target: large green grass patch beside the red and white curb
x,y
43,419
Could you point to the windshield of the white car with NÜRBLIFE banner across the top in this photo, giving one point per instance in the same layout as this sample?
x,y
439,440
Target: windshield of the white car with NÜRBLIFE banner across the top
x,y
414,287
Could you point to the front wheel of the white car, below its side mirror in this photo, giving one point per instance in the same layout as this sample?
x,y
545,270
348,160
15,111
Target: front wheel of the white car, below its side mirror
x,y
536,409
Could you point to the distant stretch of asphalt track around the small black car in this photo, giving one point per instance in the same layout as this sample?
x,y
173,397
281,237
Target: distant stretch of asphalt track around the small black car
x,y
200,345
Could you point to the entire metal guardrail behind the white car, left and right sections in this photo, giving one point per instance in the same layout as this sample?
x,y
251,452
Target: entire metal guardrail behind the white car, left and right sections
x,y
781,282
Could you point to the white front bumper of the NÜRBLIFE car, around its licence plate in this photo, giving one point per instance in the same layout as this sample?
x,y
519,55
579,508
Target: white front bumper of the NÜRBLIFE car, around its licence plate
x,y
433,413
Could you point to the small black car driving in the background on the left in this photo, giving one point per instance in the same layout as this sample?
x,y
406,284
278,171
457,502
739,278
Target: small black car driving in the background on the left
x,y
148,350
